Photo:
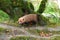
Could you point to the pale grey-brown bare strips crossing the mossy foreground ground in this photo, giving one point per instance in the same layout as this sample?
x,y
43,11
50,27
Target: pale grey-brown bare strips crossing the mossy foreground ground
x,y
6,37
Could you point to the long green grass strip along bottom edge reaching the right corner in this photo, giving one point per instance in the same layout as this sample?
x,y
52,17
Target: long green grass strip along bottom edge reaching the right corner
x,y
31,38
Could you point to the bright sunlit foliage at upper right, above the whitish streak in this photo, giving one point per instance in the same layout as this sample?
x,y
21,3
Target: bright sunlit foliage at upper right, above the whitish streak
x,y
51,7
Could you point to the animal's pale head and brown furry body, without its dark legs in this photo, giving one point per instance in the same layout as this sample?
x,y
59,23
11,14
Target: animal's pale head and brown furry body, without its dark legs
x,y
28,18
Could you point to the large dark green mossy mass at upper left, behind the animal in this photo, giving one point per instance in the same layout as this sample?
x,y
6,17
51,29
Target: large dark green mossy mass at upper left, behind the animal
x,y
16,8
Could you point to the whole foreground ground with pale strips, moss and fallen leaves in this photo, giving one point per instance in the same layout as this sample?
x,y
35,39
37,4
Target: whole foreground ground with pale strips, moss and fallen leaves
x,y
33,32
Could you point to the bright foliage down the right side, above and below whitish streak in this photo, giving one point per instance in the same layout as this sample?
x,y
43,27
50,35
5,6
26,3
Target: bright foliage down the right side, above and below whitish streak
x,y
52,9
